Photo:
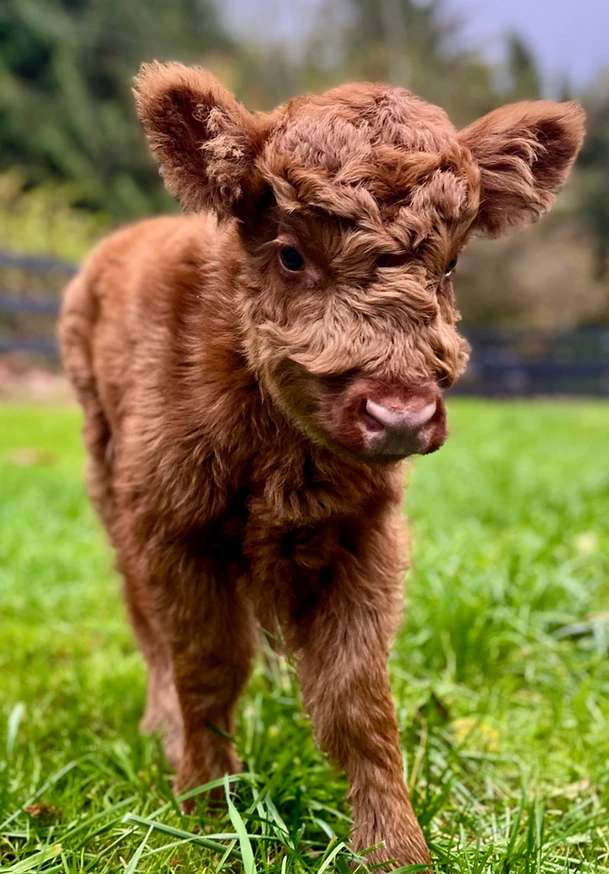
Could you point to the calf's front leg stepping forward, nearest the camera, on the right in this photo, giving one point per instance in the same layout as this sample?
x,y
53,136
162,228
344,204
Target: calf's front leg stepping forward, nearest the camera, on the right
x,y
342,643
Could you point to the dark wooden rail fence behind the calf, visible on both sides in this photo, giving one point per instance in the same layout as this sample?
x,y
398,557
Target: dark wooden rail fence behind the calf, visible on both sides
x,y
504,362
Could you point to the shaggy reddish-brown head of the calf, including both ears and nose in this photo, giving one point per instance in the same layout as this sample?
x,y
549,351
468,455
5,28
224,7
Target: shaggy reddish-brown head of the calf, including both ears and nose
x,y
351,209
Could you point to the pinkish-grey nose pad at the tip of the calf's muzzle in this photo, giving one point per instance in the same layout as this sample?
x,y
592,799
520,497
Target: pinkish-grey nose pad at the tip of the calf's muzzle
x,y
398,430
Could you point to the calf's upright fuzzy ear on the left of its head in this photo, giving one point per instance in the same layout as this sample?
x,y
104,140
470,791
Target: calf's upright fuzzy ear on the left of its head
x,y
204,140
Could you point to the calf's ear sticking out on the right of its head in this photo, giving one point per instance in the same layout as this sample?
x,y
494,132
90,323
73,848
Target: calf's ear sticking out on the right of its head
x,y
525,152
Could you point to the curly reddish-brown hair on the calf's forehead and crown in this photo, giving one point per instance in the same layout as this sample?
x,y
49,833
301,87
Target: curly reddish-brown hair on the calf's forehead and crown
x,y
375,155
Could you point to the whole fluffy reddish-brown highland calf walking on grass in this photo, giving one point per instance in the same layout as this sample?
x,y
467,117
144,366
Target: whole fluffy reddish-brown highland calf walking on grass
x,y
252,376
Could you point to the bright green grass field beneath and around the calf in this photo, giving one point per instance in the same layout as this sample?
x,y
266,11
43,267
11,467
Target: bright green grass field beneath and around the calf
x,y
501,672
